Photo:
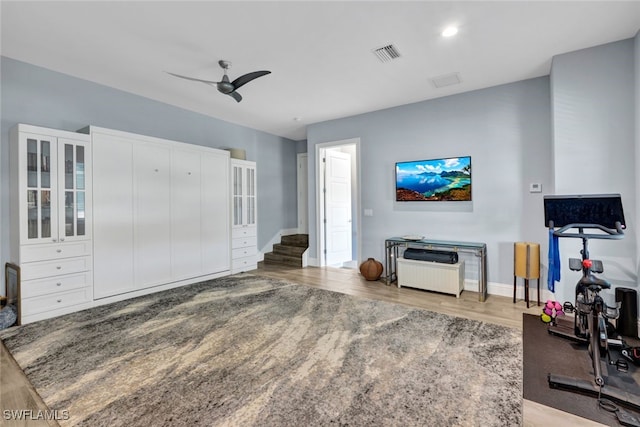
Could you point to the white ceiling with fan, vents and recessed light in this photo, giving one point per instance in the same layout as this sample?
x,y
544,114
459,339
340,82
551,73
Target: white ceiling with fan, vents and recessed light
x,y
319,53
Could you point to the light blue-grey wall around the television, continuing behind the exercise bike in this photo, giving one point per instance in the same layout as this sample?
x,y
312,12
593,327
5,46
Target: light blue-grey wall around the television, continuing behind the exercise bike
x,y
574,132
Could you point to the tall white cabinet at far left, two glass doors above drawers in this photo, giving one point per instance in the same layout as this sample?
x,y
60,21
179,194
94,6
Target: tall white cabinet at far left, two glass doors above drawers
x,y
50,174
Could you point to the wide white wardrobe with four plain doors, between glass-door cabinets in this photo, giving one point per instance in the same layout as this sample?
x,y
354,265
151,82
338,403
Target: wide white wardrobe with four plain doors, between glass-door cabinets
x,y
161,213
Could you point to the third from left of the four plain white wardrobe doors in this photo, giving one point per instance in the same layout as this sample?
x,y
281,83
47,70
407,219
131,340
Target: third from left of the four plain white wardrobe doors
x,y
185,215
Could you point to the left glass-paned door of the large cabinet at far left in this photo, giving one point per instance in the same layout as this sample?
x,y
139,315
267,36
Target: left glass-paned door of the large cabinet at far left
x,y
40,213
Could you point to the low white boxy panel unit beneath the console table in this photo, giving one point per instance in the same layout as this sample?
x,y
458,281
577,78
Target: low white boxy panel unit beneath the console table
x,y
431,276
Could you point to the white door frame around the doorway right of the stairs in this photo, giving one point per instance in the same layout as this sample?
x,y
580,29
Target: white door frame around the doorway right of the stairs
x,y
355,197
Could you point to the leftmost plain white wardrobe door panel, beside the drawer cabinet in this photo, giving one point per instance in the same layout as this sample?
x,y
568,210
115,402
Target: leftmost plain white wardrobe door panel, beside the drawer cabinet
x,y
112,215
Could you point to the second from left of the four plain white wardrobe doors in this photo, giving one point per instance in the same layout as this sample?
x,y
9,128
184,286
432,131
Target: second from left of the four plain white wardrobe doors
x,y
152,210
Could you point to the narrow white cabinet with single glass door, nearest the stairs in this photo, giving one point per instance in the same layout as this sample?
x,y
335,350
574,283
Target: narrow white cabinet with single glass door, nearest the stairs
x,y
244,243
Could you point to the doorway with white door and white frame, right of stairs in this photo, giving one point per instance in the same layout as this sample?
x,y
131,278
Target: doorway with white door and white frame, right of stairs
x,y
338,203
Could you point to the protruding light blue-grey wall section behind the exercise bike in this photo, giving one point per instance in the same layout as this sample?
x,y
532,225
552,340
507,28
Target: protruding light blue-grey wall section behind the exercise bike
x,y
593,105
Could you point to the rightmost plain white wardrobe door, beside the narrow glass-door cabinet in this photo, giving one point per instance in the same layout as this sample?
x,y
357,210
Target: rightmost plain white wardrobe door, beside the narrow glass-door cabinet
x,y
215,213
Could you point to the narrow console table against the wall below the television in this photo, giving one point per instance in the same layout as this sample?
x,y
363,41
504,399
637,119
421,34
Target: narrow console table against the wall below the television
x,y
393,244
